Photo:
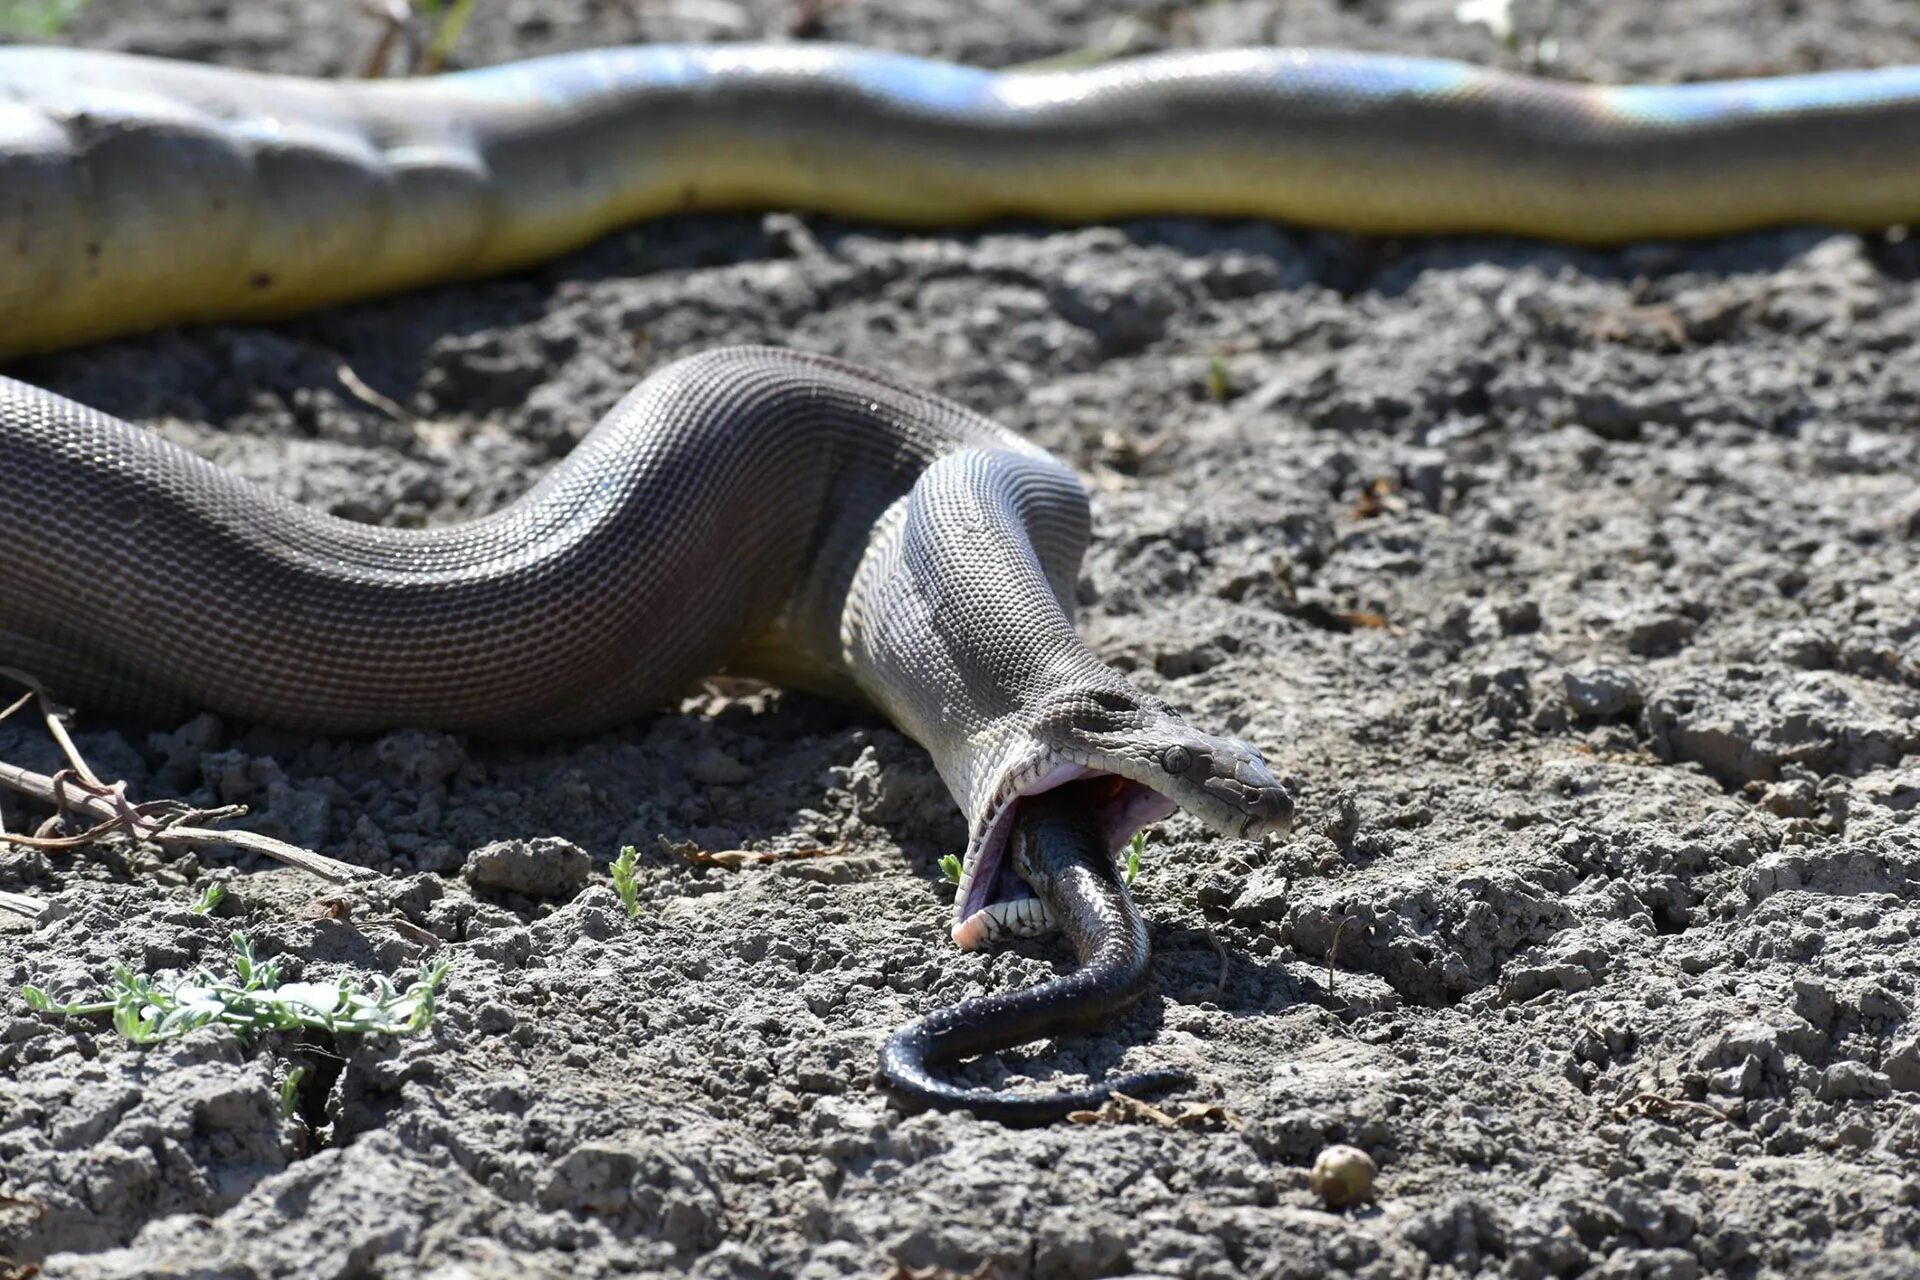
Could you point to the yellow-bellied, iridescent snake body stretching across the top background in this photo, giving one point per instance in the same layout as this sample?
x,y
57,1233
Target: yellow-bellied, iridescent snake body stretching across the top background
x,y
141,193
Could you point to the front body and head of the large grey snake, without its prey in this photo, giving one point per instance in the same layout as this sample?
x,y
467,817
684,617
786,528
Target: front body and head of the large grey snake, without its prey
x,y
750,510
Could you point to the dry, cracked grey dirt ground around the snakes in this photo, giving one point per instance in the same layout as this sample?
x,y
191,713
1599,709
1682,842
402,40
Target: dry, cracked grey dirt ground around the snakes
x,y
1579,592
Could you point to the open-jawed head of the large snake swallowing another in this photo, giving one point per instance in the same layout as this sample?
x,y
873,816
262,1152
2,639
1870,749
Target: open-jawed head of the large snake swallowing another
x,y
1151,761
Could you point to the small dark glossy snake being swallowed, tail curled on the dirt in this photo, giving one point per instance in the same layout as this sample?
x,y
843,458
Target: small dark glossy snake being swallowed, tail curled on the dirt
x,y
1061,851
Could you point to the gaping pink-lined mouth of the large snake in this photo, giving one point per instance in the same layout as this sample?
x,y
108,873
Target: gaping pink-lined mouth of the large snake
x,y
994,901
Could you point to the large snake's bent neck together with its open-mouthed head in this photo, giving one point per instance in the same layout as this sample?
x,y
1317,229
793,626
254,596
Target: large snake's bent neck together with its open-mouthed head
x,y
959,627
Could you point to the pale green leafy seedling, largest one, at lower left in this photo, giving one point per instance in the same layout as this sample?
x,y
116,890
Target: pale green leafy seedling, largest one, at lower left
x,y
156,1008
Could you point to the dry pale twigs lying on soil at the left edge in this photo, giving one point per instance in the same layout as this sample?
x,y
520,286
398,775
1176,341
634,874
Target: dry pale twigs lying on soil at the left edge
x,y
162,822
